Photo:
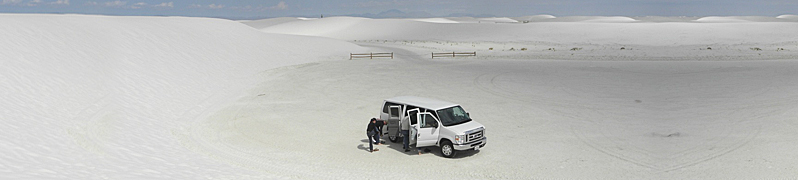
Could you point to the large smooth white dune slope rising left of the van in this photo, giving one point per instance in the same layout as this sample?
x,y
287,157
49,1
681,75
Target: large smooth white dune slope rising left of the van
x,y
90,97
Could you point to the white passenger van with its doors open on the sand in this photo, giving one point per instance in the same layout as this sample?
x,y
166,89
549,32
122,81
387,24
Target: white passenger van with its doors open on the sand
x,y
433,123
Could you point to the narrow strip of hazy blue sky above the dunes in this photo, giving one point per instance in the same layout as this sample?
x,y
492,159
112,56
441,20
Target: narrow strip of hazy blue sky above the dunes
x,y
248,9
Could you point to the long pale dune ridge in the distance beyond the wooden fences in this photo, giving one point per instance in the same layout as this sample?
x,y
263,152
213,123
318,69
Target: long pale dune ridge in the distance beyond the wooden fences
x,y
578,31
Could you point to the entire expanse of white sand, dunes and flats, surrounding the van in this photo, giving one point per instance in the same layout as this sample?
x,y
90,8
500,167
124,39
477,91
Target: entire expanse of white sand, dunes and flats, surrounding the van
x,y
102,97
